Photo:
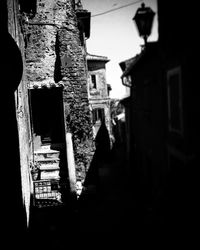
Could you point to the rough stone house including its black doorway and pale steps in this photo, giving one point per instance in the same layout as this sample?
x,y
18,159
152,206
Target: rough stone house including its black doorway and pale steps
x,y
55,33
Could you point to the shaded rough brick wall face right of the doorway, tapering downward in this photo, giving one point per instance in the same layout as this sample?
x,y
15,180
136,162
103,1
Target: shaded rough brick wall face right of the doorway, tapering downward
x,y
75,94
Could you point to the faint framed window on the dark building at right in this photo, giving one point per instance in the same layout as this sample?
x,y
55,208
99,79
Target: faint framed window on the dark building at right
x,y
174,91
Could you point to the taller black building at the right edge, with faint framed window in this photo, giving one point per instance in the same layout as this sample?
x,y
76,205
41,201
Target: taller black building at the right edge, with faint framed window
x,y
180,86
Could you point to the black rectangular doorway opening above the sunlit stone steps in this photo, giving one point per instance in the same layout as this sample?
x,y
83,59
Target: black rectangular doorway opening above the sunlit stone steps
x,y
47,115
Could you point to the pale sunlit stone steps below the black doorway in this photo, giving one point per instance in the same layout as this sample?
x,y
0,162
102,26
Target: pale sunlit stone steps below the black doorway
x,y
48,160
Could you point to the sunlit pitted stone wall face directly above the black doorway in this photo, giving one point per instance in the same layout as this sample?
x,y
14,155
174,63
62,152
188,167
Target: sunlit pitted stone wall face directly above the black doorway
x,y
40,31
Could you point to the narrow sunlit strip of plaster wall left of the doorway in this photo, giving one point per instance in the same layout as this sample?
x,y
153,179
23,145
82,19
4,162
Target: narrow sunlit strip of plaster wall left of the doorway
x,y
22,109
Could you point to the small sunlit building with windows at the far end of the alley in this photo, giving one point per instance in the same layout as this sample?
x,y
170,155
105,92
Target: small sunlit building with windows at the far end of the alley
x,y
98,91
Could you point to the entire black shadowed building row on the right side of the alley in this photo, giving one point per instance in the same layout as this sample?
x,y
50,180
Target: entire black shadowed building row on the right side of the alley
x,y
163,121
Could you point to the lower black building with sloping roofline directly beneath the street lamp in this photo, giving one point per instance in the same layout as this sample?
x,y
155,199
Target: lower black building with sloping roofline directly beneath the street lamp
x,y
148,150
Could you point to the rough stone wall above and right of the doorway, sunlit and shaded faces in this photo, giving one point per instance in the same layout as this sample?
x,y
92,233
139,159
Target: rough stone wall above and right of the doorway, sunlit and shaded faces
x,y
55,55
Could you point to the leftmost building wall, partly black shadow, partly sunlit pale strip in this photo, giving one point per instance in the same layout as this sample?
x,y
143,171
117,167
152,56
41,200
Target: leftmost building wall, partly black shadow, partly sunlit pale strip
x,y
17,140
